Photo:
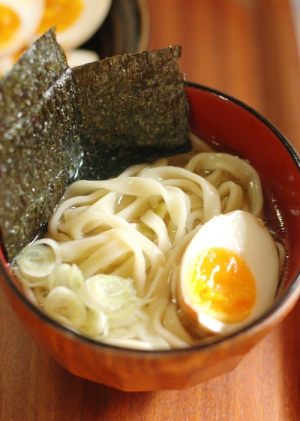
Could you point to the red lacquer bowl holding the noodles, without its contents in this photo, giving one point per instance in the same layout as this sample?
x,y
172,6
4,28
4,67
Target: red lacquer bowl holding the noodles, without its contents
x,y
224,120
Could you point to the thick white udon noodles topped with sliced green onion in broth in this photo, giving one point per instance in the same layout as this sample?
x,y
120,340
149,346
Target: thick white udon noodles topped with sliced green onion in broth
x,y
118,243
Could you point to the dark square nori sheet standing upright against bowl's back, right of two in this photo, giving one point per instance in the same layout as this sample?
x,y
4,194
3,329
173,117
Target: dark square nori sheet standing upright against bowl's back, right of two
x,y
134,109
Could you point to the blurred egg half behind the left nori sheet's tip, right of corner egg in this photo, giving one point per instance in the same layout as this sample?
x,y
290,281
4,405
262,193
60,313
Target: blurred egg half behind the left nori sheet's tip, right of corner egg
x,y
75,20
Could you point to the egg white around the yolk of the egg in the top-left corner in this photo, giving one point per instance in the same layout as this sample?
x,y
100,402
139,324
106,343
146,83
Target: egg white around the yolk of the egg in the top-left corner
x,y
30,13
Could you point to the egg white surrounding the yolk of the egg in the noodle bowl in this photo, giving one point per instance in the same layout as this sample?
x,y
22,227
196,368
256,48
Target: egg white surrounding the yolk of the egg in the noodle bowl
x,y
246,235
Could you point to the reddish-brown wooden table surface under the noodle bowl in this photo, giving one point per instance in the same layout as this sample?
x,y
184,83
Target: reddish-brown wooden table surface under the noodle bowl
x,y
246,48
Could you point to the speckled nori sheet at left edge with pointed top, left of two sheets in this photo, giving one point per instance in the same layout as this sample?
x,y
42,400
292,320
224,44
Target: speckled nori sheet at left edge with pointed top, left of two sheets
x,y
39,147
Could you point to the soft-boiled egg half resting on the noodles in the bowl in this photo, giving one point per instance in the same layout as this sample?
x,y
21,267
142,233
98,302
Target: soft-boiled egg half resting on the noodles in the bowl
x,y
229,273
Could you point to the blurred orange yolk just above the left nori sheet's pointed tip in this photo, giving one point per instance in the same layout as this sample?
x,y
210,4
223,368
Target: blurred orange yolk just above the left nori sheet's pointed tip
x,y
60,13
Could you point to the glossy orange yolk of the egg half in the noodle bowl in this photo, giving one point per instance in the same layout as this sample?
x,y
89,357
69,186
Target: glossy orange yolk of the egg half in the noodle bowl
x,y
221,283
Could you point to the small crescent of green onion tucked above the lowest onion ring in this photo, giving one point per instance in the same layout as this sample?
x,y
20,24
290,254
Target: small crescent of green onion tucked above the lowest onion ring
x,y
66,275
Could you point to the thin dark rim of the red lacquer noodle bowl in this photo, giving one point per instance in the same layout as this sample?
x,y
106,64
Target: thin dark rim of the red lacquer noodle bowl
x,y
218,341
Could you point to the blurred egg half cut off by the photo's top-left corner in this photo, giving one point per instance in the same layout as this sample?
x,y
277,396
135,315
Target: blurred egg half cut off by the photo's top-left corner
x,y
18,22
